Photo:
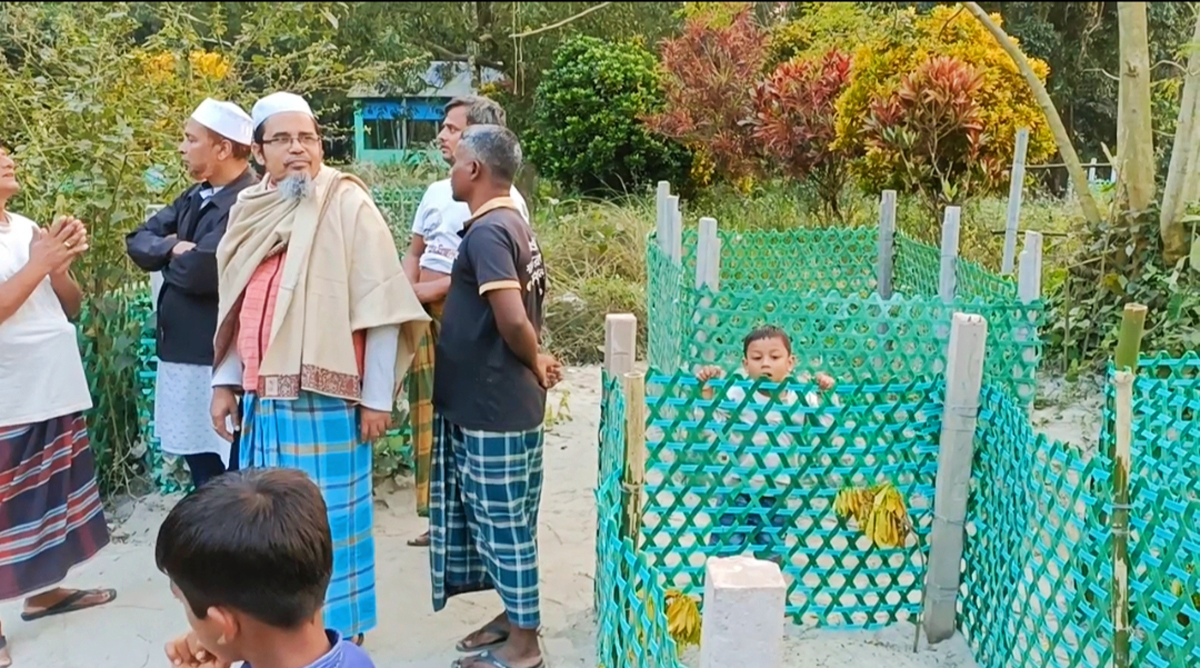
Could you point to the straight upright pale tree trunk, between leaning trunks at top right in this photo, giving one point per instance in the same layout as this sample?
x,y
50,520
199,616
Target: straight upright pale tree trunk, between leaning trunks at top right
x,y
1136,137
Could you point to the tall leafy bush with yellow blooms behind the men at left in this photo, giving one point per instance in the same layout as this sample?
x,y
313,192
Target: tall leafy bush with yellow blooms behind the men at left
x,y
94,106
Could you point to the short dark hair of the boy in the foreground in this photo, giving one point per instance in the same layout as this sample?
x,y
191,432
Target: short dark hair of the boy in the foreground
x,y
256,541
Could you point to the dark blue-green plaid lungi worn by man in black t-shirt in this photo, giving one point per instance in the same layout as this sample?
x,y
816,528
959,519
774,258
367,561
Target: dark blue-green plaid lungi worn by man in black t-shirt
x,y
485,491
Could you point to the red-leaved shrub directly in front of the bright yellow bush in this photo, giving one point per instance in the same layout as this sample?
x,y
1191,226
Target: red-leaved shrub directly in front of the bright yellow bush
x,y
928,136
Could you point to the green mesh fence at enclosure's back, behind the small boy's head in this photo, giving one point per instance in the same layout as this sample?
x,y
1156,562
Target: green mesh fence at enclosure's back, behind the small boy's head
x,y
820,286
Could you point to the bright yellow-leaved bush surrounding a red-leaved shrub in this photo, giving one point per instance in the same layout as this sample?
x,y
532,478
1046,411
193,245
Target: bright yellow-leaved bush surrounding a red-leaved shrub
x,y
1004,100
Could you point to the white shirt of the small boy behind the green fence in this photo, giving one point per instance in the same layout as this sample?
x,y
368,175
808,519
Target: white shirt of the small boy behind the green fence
x,y
779,414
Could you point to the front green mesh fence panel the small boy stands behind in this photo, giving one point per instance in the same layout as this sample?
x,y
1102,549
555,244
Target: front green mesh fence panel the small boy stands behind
x,y
758,471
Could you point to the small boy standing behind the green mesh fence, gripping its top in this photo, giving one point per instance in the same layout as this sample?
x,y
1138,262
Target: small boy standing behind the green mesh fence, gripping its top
x,y
760,478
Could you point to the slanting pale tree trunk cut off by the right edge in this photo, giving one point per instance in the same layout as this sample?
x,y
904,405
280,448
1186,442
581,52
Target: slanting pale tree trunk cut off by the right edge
x,y
1184,176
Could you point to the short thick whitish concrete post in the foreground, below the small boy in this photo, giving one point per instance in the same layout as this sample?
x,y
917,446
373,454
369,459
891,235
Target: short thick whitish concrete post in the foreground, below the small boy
x,y
743,618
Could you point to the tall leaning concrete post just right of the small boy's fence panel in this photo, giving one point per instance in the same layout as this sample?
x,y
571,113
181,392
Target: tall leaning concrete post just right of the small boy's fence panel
x,y
964,381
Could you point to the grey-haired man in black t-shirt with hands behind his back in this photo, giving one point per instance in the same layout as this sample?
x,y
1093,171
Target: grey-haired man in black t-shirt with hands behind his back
x,y
490,400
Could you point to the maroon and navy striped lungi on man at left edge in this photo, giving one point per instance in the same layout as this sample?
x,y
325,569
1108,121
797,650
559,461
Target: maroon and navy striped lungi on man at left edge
x,y
51,517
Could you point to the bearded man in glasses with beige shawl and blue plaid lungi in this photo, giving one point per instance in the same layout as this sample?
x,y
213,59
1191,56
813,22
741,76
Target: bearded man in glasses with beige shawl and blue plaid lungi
x,y
316,328
